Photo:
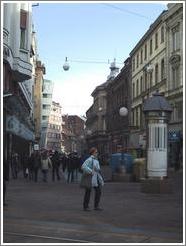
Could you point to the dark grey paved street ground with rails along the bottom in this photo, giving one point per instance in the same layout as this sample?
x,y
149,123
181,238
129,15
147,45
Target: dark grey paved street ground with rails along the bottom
x,y
52,213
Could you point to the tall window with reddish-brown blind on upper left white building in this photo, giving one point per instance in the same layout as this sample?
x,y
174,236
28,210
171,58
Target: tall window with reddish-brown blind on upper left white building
x,y
23,26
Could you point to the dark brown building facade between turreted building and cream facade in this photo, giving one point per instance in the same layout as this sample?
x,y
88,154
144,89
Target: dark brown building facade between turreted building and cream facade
x,y
118,96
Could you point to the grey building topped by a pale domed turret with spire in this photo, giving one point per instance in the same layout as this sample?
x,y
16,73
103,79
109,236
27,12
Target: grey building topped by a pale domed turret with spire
x,y
96,123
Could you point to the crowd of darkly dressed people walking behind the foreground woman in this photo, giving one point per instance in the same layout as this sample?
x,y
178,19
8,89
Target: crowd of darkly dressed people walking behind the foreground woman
x,y
45,161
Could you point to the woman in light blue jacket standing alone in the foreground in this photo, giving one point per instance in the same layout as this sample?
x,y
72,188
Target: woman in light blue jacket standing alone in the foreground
x,y
91,167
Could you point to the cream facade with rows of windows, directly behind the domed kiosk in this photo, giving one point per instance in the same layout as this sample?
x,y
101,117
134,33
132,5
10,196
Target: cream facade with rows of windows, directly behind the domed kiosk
x,y
148,75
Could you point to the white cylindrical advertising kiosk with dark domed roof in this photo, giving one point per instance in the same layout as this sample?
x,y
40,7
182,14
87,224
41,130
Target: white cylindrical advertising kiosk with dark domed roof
x,y
157,115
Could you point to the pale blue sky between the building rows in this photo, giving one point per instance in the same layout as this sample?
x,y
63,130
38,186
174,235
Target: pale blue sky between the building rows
x,y
90,35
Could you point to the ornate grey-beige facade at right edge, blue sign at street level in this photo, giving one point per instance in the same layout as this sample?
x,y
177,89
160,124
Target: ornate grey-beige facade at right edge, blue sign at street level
x,y
174,92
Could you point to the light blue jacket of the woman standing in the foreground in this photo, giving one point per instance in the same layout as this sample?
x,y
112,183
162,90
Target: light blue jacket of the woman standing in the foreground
x,y
91,166
